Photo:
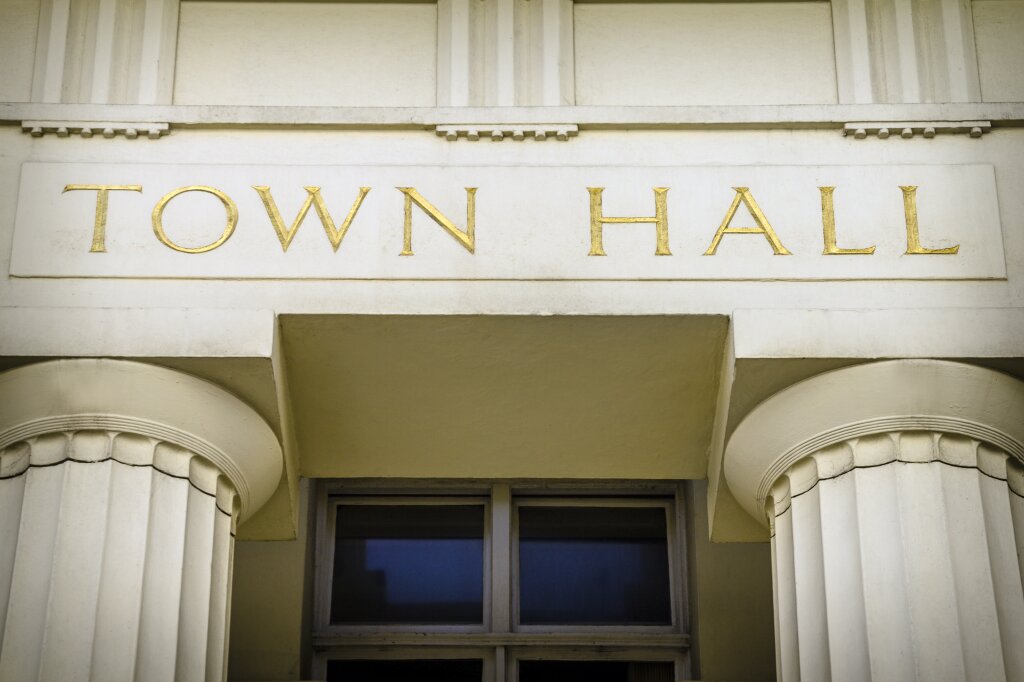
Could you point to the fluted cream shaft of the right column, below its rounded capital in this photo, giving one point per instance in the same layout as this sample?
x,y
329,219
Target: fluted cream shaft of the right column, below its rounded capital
x,y
897,557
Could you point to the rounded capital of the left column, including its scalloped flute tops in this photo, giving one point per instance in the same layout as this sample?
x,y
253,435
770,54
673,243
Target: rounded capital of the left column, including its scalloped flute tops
x,y
141,415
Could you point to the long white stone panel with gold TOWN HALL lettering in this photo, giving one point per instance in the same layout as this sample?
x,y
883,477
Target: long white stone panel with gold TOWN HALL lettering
x,y
489,223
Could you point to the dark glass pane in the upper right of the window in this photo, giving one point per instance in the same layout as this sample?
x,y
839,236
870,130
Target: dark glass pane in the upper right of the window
x,y
593,566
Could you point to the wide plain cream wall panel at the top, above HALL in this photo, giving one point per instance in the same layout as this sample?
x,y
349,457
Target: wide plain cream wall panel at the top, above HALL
x,y
705,54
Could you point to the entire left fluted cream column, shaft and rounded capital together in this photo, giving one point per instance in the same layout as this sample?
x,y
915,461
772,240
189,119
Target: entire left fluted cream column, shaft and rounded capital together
x,y
121,486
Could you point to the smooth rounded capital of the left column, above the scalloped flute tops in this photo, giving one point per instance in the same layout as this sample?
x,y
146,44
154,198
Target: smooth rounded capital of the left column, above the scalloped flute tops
x,y
121,397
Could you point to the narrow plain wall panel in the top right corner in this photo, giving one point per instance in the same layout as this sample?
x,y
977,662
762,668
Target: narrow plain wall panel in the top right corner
x,y
999,30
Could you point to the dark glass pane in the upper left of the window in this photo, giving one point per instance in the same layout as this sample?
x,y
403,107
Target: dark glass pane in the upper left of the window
x,y
408,564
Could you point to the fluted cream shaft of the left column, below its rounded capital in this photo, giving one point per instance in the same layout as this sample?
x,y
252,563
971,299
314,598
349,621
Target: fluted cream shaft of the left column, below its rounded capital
x,y
116,561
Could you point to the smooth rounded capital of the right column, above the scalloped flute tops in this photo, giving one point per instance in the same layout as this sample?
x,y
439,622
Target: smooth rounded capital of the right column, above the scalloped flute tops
x,y
846,405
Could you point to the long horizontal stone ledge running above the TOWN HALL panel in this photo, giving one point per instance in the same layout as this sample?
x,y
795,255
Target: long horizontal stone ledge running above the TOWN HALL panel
x,y
429,118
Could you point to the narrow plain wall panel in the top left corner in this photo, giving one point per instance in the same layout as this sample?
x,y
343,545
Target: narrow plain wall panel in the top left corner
x,y
18,47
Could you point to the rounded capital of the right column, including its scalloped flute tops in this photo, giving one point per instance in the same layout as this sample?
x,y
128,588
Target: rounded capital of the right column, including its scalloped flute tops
x,y
874,414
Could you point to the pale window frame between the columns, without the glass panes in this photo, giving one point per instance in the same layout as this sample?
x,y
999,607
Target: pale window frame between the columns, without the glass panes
x,y
501,642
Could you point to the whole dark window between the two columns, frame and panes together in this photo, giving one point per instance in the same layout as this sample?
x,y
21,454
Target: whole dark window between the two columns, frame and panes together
x,y
501,583
